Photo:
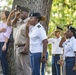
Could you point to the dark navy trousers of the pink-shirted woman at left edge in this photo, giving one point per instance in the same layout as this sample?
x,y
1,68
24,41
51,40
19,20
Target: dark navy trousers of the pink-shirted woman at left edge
x,y
3,59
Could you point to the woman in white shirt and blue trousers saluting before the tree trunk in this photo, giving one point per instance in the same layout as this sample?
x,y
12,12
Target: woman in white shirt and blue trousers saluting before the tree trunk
x,y
38,43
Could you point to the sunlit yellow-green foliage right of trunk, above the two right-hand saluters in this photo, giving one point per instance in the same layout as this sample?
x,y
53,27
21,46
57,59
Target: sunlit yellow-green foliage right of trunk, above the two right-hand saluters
x,y
63,12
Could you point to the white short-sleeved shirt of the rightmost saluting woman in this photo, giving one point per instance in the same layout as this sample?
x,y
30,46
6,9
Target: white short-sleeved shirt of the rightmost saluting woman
x,y
69,47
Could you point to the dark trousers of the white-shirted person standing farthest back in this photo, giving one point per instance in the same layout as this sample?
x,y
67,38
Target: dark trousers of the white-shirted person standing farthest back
x,y
55,65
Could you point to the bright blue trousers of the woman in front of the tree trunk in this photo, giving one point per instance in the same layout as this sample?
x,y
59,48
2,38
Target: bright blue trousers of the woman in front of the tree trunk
x,y
36,62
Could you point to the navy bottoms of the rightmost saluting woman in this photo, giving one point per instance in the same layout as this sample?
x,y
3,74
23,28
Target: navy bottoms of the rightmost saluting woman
x,y
70,61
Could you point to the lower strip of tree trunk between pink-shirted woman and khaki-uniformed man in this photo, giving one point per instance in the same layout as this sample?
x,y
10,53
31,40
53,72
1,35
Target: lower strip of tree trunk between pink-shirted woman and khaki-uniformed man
x,y
11,57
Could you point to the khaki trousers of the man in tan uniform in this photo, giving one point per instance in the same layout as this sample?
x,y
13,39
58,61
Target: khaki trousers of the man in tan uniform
x,y
22,63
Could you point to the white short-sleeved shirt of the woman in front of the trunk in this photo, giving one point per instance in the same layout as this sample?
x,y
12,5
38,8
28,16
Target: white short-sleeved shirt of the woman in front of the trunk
x,y
37,34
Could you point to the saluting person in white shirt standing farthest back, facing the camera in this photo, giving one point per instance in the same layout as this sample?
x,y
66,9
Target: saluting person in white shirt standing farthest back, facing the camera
x,y
56,52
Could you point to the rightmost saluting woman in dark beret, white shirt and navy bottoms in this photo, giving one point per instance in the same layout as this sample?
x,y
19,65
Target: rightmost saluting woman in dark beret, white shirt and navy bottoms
x,y
69,46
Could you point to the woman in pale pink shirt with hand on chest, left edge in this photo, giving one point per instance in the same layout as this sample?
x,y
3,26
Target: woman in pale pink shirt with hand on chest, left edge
x,y
5,32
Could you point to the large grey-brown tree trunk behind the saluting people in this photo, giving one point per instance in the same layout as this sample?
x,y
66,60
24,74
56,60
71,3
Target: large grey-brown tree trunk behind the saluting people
x,y
42,6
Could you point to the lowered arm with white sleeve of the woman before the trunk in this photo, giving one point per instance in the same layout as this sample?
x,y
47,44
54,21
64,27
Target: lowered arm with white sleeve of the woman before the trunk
x,y
43,38
